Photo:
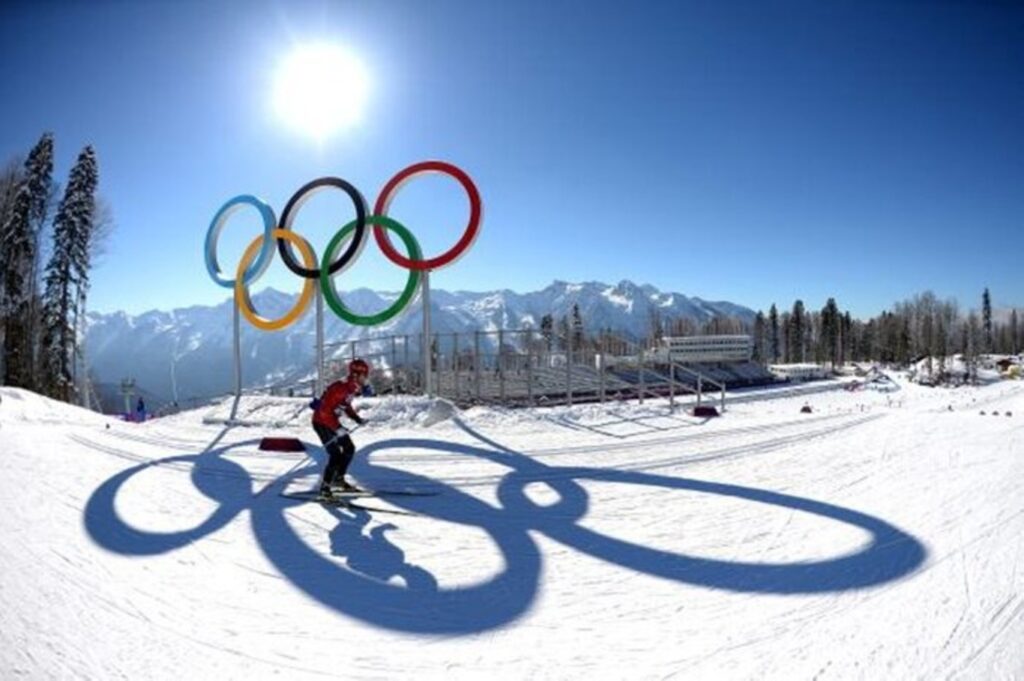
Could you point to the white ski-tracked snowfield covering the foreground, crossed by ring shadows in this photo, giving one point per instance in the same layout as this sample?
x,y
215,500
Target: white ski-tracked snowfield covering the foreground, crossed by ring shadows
x,y
879,537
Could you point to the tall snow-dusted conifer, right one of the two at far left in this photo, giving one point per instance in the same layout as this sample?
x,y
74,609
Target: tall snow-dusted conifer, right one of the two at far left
x,y
67,275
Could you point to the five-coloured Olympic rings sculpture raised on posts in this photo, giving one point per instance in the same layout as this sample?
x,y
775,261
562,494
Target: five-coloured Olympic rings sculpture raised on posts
x,y
260,253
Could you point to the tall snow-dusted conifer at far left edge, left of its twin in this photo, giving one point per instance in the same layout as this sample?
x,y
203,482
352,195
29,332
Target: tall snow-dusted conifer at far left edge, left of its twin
x,y
18,259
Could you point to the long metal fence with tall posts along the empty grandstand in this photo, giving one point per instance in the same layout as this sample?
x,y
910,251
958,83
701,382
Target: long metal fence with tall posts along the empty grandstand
x,y
523,367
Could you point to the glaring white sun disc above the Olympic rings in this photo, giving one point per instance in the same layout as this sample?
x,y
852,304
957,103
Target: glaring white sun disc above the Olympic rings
x,y
320,90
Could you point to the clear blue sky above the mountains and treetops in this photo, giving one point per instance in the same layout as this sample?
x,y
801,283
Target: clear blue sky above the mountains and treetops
x,y
751,152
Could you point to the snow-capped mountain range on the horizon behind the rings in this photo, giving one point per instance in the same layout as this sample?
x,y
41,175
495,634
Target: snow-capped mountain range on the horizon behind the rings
x,y
188,354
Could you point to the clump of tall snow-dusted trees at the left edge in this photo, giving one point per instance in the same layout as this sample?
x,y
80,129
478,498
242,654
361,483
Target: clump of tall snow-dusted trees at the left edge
x,y
48,249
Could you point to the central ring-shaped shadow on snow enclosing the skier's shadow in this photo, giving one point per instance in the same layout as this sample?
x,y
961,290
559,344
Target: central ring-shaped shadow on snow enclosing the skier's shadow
x,y
373,581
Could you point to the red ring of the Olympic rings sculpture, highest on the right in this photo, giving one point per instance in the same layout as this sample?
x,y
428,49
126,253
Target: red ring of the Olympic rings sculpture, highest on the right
x,y
473,229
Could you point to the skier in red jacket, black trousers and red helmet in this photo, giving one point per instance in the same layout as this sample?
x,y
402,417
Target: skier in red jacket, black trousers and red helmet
x,y
336,438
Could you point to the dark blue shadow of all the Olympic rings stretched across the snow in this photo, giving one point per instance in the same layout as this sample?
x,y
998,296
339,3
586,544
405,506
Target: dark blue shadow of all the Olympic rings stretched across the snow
x,y
364,588
